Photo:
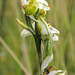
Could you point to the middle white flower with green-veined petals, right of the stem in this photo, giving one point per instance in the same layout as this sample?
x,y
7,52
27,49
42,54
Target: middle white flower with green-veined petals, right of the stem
x,y
48,31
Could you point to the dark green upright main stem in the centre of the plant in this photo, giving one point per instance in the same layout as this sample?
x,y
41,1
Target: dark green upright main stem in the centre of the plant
x,y
38,38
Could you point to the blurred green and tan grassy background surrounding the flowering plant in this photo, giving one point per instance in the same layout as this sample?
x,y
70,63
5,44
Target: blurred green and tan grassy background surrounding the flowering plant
x,y
61,16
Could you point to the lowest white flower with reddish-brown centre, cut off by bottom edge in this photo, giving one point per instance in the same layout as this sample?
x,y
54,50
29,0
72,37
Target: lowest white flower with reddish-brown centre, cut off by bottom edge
x,y
45,70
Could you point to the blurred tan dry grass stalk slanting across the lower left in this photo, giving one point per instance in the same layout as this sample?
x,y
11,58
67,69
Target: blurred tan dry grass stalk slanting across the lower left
x,y
14,56
